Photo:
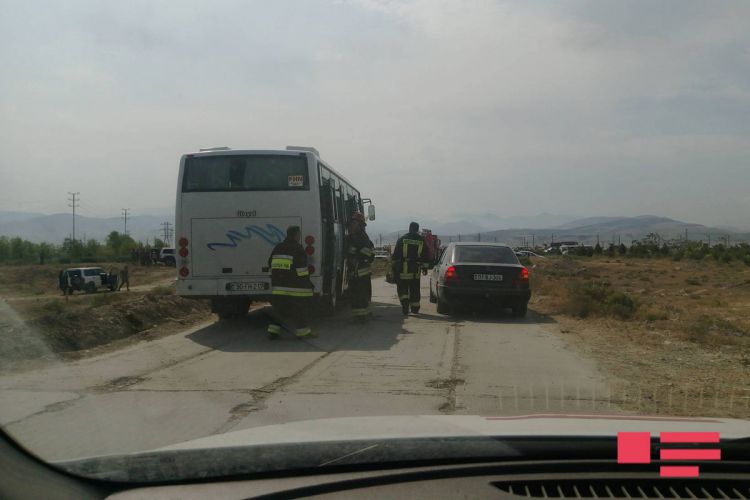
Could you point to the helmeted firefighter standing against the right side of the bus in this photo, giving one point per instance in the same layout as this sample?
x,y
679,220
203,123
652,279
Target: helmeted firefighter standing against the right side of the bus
x,y
359,256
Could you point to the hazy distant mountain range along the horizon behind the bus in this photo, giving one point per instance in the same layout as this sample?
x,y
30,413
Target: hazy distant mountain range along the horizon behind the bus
x,y
467,227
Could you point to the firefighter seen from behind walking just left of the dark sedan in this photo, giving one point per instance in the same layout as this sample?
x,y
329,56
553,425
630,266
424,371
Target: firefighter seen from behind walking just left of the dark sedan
x,y
409,260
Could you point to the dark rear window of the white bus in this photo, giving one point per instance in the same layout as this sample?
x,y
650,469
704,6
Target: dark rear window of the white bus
x,y
245,173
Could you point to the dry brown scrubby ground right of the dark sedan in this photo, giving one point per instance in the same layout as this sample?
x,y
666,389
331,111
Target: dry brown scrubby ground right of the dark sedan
x,y
673,336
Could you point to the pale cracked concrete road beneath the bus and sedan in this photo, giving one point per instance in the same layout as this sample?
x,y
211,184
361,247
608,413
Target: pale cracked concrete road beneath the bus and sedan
x,y
228,376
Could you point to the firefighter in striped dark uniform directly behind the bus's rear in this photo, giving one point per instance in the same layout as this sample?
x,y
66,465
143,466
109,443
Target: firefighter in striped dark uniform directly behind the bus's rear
x,y
291,288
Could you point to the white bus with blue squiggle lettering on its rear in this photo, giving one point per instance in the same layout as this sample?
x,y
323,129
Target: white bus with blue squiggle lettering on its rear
x,y
234,206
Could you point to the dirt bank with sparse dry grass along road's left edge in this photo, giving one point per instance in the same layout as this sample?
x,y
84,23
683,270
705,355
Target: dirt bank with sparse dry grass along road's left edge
x,y
45,329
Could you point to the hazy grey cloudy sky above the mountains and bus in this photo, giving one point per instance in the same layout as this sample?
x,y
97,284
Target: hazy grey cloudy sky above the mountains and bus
x,y
429,106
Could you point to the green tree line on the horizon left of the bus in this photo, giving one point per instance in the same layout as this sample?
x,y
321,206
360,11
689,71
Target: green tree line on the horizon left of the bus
x,y
116,247
